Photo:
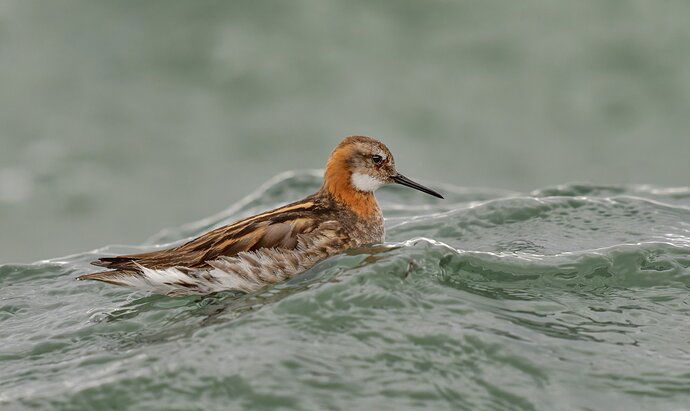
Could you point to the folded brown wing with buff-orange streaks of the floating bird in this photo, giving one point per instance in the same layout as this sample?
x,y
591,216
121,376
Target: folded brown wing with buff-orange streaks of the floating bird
x,y
276,229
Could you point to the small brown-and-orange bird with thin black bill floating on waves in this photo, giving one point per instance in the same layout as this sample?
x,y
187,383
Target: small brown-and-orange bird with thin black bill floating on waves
x,y
278,244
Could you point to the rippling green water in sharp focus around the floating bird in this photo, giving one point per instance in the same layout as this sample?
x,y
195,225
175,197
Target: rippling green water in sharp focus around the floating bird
x,y
573,296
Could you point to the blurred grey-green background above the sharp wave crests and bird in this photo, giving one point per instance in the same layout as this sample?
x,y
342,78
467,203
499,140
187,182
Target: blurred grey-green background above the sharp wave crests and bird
x,y
118,119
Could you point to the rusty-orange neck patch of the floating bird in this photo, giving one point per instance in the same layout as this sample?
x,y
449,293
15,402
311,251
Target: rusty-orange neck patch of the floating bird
x,y
338,184
